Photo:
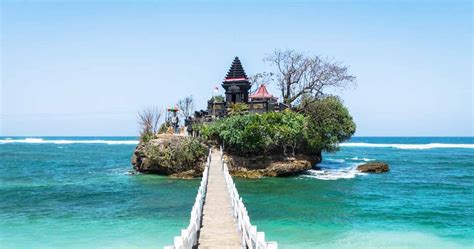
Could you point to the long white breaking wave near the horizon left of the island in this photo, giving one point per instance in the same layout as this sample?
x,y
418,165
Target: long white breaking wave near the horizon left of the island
x,y
63,141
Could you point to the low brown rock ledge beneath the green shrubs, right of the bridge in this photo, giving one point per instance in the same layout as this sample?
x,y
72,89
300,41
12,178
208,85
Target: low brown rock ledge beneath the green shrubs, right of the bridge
x,y
271,165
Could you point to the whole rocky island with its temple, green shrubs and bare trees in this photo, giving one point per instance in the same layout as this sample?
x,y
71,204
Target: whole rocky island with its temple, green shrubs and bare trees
x,y
260,135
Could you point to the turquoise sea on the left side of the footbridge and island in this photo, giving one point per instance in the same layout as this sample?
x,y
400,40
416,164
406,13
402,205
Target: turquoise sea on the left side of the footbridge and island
x,y
81,196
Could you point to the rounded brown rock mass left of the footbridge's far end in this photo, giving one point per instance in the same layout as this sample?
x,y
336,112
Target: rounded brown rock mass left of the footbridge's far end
x,y
176,156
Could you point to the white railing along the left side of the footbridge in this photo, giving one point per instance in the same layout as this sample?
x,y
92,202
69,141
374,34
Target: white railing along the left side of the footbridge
x,y
189,236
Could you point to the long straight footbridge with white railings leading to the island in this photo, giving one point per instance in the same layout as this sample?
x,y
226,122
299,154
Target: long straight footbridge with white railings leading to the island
x,y
219,218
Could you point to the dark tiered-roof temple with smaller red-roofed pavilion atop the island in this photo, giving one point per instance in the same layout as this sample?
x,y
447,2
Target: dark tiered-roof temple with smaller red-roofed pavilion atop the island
x,y
237,90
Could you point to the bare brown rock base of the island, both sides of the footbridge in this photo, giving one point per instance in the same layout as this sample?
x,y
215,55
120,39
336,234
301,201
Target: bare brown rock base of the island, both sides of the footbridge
x,y
184,157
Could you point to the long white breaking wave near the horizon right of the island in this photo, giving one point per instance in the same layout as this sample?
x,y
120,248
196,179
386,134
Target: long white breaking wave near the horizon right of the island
x,y
411,146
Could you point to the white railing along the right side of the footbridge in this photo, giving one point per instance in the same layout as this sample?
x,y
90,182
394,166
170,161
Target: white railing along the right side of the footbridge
x,y
251,238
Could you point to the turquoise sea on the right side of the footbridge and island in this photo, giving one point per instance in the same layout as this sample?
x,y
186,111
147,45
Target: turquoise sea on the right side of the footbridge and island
x,y
425,201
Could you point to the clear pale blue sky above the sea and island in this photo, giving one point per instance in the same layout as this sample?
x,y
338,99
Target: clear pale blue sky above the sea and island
x,y
87,67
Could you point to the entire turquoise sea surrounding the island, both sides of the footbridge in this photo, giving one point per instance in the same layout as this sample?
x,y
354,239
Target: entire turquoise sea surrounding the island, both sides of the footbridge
x,y
76,192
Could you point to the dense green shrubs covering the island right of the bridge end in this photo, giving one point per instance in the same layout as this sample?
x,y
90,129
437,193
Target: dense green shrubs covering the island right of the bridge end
x,y
319,125
